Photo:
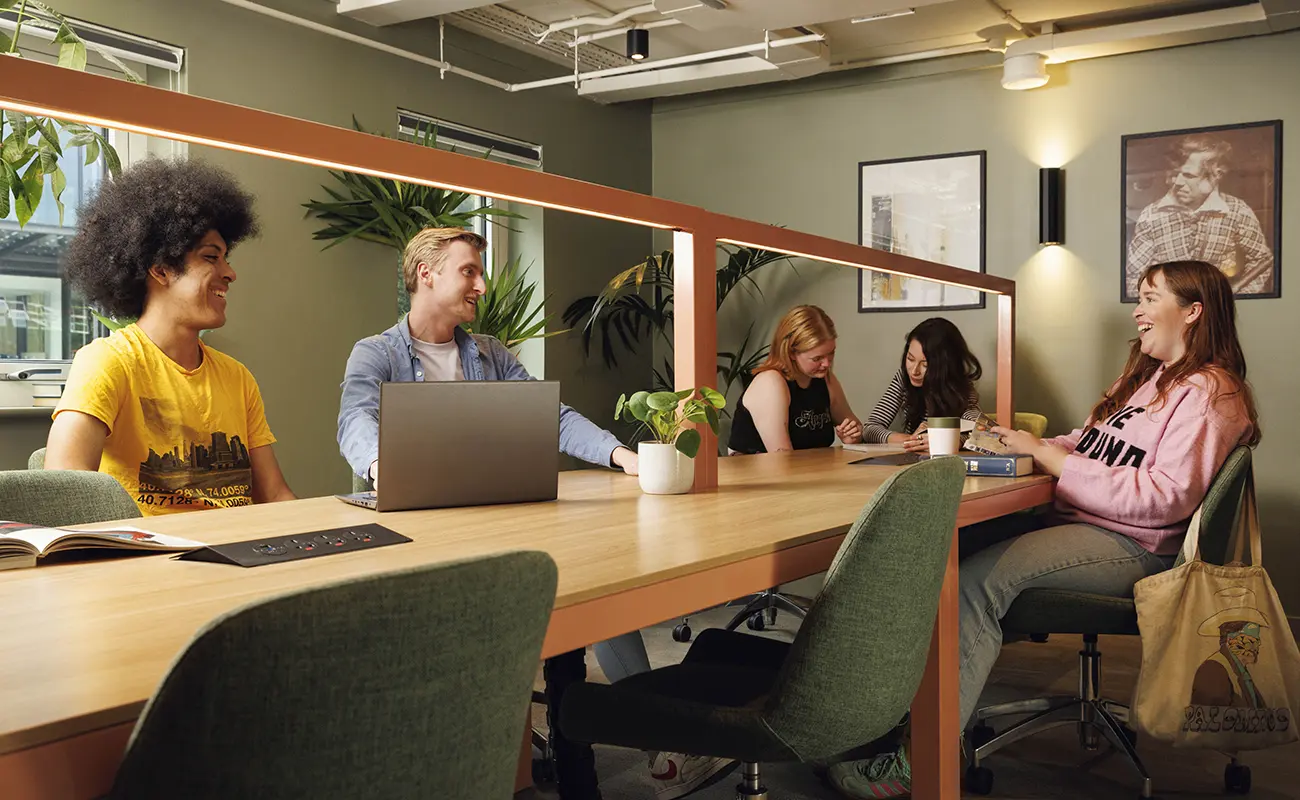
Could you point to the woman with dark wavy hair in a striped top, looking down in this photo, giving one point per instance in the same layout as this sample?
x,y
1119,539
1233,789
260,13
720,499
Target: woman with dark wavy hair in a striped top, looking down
x,y
937,378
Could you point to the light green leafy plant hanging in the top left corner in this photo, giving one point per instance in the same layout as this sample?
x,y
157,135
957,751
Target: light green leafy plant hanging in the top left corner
x,y
31,146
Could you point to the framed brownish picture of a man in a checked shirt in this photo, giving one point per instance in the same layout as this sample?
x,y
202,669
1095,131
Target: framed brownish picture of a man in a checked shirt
x,y
1208,194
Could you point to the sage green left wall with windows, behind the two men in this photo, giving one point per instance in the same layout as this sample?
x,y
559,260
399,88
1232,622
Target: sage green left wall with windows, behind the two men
x,y
297,312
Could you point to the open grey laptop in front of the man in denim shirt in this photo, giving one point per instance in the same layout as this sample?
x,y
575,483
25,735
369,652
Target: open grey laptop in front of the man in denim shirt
x,y
466,444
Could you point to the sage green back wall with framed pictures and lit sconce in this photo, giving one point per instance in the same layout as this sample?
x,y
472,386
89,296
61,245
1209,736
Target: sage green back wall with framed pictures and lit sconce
x,y
790,155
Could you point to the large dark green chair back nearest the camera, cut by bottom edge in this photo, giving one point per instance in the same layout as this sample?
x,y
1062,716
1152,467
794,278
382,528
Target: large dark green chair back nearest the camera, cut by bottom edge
x,y
408,685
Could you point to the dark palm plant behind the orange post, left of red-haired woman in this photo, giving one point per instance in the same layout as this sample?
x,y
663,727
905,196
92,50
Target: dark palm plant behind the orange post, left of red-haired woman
x,y
636,305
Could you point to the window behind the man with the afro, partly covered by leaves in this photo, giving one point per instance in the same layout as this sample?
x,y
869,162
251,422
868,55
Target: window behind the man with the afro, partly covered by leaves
x,y
41,317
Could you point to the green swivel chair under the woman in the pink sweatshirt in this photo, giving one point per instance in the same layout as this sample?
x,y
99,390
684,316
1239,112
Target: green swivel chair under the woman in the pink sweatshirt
x,y
1039,612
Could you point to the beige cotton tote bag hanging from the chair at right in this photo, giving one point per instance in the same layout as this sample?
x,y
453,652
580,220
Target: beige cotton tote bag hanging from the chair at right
x,y
1220,668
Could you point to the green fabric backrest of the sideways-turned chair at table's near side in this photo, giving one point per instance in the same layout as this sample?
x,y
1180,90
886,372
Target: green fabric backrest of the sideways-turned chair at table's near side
x,y
857,660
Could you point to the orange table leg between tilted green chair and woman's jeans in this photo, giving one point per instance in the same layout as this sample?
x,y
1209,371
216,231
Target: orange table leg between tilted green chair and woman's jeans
x,y
935,725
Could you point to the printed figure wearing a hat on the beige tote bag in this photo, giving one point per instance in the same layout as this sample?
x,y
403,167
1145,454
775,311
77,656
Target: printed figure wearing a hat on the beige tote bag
x,y
1225,680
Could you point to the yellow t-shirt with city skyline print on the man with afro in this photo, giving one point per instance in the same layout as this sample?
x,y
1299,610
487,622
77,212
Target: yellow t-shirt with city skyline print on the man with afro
x,y
179,440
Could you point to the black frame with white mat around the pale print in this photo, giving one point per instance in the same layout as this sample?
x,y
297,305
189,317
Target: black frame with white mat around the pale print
x,y
869,239
